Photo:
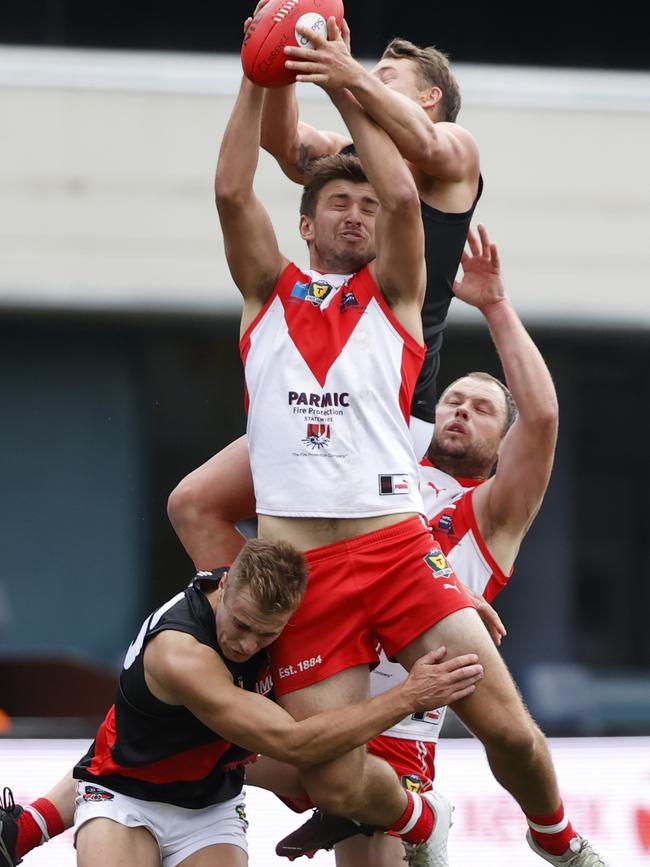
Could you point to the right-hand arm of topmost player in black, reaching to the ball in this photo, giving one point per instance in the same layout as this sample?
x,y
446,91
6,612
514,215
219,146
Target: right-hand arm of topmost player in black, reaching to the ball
x,y
442,150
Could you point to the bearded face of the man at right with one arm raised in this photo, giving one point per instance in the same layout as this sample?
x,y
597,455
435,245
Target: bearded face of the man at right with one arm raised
x,y
470,424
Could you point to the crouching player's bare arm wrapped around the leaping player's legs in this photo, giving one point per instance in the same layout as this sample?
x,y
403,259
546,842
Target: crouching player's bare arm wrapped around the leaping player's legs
x,y
183,671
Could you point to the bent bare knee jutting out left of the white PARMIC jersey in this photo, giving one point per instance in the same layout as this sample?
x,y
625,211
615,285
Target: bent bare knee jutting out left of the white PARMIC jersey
x,y
205,506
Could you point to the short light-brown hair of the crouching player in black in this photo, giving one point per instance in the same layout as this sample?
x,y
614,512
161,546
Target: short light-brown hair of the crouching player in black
x,y
275,574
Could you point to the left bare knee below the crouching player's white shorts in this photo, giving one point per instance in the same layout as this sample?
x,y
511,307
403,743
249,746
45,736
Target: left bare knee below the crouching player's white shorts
x,y
104,843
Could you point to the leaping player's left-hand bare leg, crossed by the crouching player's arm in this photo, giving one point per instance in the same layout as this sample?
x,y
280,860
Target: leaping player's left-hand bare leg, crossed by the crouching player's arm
x,y
356,785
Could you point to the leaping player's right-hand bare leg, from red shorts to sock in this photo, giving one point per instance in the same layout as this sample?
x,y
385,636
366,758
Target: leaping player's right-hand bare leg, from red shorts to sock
x,y
516,748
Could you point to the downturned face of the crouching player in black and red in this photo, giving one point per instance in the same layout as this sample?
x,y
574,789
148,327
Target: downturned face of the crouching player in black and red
x,y
242,627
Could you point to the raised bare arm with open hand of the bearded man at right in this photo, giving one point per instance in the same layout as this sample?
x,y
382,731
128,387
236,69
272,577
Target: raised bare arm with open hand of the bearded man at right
x,y
506,505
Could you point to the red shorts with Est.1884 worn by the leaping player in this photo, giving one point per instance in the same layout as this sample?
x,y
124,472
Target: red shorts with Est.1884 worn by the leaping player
x,y
388,586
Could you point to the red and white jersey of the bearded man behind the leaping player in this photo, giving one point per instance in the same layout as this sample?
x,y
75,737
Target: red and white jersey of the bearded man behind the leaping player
x,y
449,510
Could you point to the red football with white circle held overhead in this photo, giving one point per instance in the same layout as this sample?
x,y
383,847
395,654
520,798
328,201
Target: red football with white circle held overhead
x,y
274,27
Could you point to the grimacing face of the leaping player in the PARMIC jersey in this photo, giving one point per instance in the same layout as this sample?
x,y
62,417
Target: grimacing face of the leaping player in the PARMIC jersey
x,y
341,234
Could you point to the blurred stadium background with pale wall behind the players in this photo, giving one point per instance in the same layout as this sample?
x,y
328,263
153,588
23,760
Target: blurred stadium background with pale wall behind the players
x,y
119,370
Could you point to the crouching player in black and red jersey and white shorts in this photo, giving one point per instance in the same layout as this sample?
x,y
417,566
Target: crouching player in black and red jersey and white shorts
x,y
162,781
